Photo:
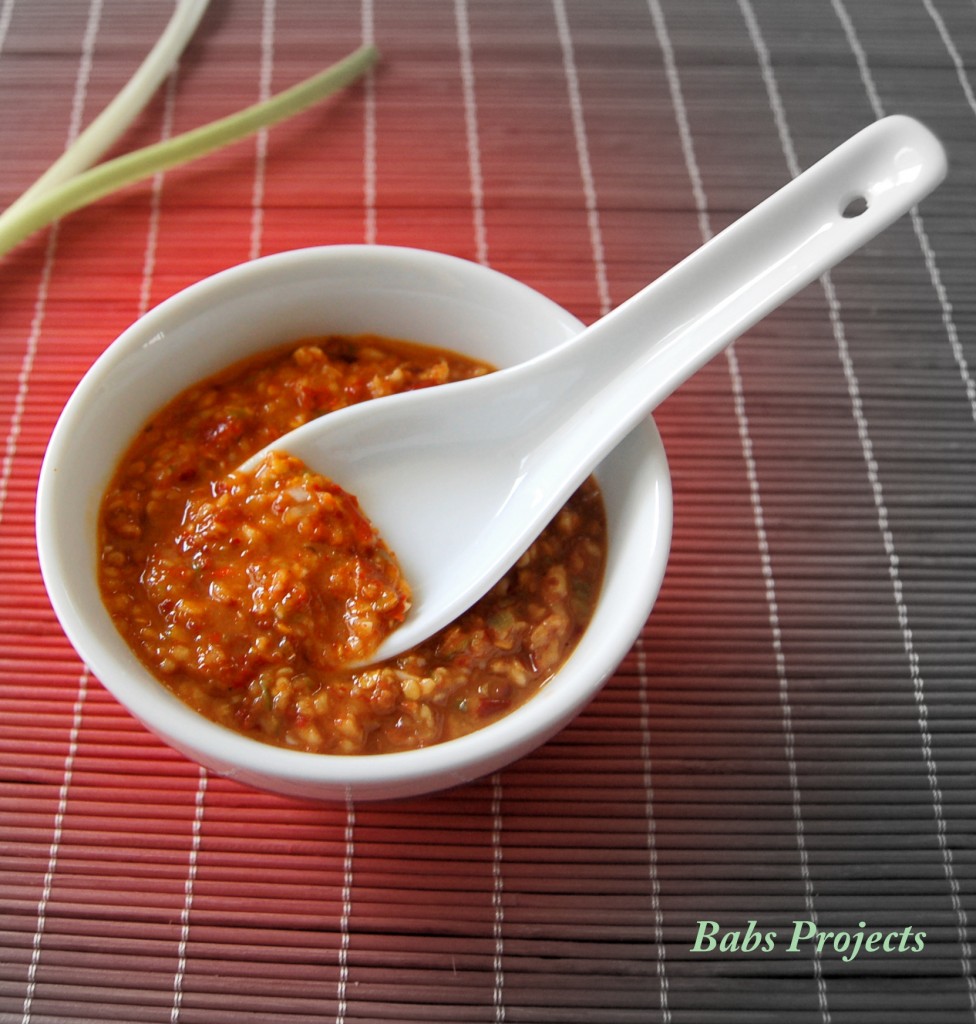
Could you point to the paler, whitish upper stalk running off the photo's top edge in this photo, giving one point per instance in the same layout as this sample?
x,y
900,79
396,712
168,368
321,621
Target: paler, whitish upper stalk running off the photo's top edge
x,y
126,106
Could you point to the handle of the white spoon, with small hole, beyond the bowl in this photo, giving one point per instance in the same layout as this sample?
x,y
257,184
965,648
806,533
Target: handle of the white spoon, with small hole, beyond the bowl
x,y
652,344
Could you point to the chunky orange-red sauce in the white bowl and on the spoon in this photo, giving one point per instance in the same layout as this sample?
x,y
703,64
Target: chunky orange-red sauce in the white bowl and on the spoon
x,y
246,595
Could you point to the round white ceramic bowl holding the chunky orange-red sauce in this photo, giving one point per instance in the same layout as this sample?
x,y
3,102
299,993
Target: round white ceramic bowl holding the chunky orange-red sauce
x,y
404,293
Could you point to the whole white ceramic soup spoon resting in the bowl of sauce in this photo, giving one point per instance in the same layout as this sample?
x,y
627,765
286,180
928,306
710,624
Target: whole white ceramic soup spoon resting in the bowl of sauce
x,y
461,479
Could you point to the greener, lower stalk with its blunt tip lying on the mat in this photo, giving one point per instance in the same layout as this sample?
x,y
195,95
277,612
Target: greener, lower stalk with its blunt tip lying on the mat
x,y
141,164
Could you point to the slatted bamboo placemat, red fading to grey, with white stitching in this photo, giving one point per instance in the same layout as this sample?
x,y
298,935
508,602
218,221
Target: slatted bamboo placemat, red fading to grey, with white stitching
x,y
792,738
